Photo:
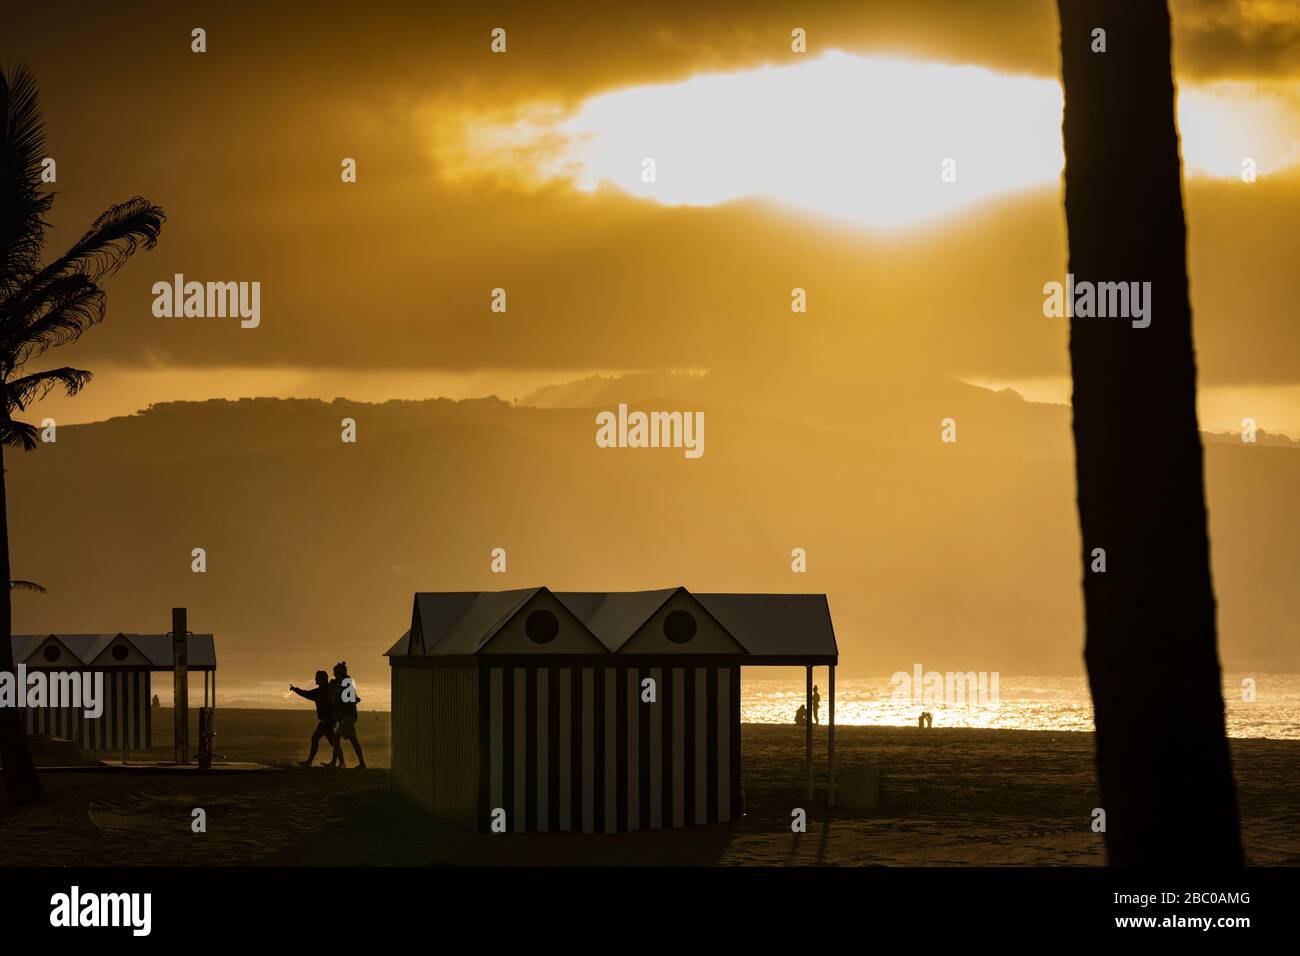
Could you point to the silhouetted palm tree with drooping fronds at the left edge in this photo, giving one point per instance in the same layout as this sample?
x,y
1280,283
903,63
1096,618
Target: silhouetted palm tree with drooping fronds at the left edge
x,y
42,308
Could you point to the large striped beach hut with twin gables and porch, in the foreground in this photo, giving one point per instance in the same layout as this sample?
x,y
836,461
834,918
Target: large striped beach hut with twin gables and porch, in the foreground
x,y
590,712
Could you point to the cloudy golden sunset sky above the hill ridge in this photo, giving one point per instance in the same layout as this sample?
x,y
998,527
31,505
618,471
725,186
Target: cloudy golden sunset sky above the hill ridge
x,y
523,171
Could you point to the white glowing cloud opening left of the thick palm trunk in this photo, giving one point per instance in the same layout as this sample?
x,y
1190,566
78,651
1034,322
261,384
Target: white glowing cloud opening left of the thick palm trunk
x,y
853,139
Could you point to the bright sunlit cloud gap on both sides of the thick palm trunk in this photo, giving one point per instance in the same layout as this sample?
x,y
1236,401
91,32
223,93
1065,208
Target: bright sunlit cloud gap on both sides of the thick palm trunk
x,y
861,140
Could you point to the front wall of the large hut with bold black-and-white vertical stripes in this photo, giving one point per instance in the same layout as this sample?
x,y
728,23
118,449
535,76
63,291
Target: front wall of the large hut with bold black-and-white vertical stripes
x,y
608,743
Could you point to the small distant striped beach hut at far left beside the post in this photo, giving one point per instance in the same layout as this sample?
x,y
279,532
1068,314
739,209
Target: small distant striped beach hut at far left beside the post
x,y
128,663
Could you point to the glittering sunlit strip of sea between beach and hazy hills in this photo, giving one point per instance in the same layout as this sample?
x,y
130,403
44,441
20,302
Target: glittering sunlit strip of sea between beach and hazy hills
x,y
1025,703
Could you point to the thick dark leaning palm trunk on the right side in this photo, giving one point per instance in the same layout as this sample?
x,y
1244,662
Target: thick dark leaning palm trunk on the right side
x,y
1163,758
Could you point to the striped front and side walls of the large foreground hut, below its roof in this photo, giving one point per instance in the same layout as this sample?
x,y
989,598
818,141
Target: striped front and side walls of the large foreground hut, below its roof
x,y
586,773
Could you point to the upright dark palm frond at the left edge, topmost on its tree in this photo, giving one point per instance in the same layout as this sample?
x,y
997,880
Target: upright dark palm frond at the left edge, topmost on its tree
x,y
23,205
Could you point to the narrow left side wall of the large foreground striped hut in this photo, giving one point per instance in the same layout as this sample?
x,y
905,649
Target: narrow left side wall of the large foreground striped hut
x,y
436,742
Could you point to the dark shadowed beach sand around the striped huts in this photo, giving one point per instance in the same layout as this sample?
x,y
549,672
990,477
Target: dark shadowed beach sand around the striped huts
x,y
950,798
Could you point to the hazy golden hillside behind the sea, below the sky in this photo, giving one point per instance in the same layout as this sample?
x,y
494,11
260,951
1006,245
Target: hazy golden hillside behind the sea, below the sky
x,y
955,556
